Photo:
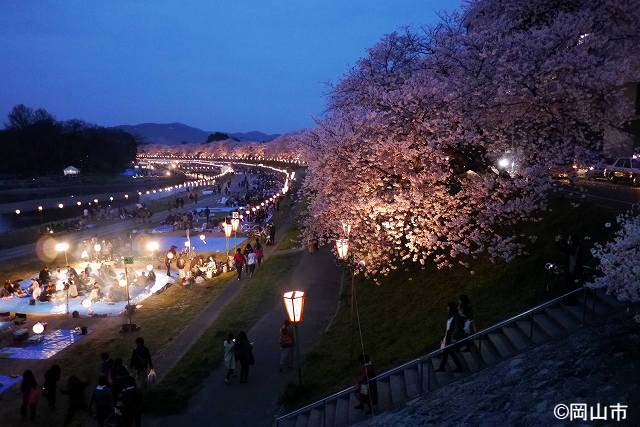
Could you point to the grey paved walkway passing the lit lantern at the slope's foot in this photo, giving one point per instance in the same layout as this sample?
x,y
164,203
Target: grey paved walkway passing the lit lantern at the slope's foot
x,y
256,403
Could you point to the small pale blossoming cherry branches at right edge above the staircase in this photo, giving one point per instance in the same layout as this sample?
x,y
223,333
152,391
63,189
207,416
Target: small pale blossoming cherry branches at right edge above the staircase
x,y
619,261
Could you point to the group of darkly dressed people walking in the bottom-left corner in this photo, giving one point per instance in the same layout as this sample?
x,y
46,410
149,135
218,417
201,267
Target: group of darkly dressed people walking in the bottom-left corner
x,y
115,400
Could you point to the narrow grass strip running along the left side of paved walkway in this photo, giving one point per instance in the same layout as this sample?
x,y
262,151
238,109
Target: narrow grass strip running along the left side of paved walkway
x,y
184,380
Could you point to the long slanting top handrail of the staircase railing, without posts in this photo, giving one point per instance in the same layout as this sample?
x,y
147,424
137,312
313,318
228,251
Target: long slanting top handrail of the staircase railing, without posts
x,y
434,353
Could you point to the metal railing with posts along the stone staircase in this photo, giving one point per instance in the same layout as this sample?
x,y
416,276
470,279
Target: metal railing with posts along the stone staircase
x,y
424,385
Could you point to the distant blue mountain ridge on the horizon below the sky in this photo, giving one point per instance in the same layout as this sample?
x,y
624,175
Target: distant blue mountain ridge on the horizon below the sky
x,y
179,133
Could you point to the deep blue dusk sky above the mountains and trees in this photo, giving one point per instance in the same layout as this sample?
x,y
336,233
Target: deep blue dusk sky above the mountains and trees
x,y
219,65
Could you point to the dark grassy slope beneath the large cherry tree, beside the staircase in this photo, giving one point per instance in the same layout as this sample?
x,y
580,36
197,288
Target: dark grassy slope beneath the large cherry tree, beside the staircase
x,y
404,317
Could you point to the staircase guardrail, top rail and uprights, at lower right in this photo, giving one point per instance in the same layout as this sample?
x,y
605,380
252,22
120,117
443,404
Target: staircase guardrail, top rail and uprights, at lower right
x,y
423,366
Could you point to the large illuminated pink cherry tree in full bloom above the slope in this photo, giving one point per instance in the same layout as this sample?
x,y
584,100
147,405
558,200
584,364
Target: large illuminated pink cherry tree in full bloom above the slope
x,y
408,152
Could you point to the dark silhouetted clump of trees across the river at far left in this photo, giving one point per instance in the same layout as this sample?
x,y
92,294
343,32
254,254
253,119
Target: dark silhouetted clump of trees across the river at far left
x,y
34,143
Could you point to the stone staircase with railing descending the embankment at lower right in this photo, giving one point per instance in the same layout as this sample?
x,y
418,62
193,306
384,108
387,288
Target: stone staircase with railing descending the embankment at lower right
x,y
551,320
